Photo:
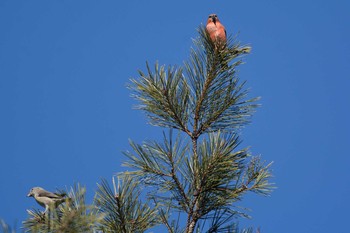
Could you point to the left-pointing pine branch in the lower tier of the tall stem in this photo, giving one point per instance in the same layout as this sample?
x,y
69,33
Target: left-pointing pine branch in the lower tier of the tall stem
x,y
160,165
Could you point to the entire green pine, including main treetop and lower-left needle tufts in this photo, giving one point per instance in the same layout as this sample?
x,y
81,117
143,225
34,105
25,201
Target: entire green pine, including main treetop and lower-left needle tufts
x,y
193,179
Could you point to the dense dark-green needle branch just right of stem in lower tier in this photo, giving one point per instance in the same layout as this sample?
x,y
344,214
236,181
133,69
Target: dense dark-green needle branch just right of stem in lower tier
x,y
218,168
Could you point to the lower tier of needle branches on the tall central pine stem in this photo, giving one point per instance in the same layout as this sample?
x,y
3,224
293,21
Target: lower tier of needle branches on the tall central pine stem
x,y
223,173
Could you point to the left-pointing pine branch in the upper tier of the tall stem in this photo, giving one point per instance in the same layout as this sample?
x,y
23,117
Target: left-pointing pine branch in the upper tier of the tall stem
x,y
153,90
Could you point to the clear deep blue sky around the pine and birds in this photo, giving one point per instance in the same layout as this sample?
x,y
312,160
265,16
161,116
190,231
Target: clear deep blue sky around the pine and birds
x,y
66,114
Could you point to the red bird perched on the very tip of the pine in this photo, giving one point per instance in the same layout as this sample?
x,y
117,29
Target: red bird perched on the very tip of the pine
x,y
216,30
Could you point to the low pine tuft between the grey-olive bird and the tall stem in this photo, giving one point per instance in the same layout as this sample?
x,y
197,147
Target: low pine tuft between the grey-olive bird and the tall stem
x,y
122,210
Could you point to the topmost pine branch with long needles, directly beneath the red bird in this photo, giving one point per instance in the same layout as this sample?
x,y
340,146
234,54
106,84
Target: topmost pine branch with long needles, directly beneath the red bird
x,y
220,102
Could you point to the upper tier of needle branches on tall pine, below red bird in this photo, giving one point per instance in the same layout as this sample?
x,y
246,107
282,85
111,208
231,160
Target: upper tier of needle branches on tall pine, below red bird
x,y
205,95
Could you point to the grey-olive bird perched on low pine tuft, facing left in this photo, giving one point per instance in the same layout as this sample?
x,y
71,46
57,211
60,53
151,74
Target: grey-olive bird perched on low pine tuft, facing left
x,y
45,198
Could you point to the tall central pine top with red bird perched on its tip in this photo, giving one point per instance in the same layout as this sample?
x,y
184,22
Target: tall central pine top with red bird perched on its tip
x,y
199,173
